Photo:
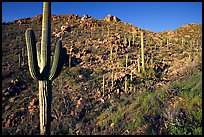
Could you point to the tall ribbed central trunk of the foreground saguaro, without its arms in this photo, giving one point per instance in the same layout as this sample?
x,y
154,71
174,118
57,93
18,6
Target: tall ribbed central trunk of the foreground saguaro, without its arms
x,y
45,90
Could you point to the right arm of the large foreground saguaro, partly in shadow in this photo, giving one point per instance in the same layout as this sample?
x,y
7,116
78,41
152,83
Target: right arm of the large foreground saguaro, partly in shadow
x,y
58,61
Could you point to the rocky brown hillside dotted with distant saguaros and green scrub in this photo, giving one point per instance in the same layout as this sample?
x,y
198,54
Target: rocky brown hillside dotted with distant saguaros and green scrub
x,y
105,51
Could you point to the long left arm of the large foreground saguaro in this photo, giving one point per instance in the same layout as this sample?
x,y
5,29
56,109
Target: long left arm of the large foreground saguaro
x,y
32,55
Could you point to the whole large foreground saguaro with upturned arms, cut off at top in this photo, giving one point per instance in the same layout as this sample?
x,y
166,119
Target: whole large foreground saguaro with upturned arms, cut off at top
x,y
39,65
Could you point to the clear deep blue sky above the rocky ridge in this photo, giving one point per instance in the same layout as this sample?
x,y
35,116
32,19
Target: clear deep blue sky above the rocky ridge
x,y
155,16
